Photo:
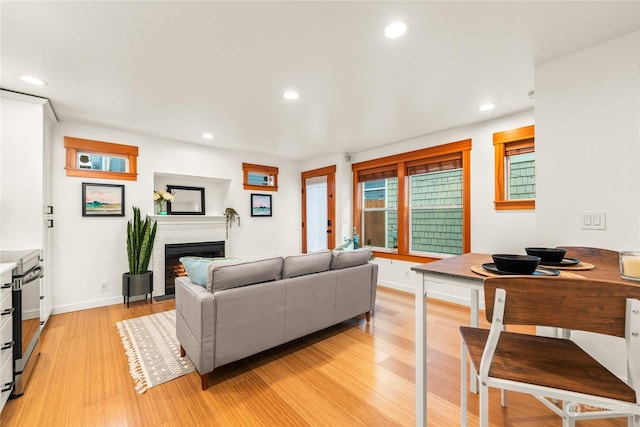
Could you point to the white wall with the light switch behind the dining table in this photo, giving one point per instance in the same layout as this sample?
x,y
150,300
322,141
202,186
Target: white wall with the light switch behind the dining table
x,y
588,145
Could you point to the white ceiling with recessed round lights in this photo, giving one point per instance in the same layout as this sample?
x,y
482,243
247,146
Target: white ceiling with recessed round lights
x,y
177,69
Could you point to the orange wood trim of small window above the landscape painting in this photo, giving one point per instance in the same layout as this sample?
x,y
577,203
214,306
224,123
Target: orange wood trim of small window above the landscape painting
x,y
73,145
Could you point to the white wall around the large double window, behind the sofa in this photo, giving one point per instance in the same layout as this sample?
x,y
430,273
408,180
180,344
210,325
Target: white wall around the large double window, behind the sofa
x,y
491,231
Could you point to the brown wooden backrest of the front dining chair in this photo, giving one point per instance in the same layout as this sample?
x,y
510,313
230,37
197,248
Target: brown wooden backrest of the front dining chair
x,y
569,303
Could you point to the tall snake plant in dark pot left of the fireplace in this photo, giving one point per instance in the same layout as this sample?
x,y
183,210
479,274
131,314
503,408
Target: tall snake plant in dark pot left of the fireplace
x,y
140,237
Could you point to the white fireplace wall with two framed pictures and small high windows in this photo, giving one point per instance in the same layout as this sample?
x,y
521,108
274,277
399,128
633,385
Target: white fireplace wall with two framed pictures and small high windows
x,y
92,250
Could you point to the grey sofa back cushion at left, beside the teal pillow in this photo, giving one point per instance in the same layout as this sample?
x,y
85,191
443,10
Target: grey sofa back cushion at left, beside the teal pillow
x,y
242,273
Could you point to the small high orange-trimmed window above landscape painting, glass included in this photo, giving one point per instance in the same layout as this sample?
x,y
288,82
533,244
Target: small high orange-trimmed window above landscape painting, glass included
x,y
97,159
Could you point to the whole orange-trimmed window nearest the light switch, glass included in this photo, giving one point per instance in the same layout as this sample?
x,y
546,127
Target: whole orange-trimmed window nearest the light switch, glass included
x,y
515,169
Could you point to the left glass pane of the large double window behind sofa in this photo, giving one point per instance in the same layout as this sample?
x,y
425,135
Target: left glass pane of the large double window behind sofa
x,y
380,215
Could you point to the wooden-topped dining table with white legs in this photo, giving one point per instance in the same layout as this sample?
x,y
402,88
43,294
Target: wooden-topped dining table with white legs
x,y
457,271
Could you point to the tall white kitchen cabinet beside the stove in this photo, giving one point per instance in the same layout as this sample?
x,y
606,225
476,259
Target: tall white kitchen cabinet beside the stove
x,y
26,211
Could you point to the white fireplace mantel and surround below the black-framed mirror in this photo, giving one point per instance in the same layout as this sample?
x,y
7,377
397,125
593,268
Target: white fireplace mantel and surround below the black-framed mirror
x,y
182,229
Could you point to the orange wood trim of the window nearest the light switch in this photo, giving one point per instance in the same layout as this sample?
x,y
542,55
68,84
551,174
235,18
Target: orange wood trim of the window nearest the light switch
x,y
503,142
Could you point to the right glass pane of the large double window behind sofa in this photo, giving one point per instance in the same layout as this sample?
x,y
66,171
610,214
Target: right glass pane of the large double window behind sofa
x,y
436,212
